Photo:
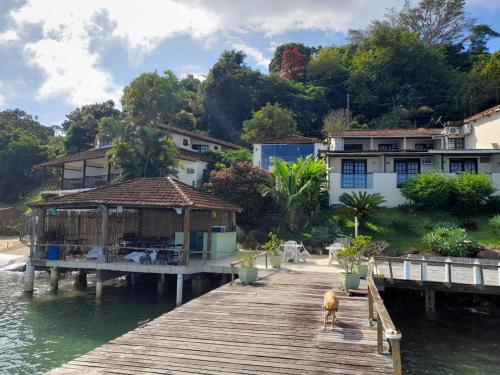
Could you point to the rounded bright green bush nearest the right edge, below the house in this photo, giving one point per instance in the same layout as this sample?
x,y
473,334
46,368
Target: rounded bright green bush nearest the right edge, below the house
x,y
470,189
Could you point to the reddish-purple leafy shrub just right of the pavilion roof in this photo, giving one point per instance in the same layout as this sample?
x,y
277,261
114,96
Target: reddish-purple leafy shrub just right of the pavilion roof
x,y
240,183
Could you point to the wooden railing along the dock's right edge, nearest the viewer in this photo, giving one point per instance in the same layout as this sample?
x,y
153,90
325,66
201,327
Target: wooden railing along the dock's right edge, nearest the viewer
x,y
385,326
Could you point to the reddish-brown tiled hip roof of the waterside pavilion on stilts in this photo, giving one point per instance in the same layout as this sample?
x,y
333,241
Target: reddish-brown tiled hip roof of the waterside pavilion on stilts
x,y
160,192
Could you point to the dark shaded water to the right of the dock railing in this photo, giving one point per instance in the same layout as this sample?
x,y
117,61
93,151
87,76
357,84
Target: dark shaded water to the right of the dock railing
x,y
464,340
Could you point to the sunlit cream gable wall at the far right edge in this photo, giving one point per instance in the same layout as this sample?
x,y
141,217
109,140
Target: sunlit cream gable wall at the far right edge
x,y
485,133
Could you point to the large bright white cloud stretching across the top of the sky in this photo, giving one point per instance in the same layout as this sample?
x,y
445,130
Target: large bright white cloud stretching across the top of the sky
x,y
73,69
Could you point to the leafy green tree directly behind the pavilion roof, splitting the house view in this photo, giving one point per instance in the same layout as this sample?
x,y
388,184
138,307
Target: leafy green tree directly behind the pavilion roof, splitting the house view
x,y
144,151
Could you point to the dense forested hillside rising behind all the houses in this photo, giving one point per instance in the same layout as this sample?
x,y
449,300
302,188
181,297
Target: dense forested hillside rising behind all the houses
x,y
419,67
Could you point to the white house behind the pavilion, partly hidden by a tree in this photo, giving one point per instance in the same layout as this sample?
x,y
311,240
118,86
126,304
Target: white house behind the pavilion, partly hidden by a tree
x,y
88,169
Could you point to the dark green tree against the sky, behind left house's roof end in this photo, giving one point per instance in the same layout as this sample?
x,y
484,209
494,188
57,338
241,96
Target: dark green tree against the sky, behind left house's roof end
x,y
81,125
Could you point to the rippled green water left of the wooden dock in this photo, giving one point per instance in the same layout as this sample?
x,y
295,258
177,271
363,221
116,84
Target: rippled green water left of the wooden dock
x,y
40,333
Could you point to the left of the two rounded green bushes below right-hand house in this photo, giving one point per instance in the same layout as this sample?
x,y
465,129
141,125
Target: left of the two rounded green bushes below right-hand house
x,y
428,189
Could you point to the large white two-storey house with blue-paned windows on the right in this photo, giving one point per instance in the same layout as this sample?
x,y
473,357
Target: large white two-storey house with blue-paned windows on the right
x,y
383,160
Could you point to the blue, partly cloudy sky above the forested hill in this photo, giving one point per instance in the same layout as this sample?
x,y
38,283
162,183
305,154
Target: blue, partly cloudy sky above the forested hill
x,y
56,55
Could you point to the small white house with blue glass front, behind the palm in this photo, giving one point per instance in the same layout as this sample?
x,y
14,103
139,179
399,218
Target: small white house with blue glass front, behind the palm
x,y
287,148
